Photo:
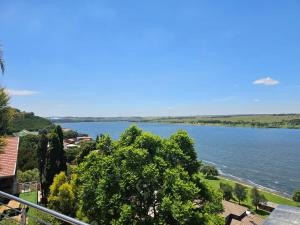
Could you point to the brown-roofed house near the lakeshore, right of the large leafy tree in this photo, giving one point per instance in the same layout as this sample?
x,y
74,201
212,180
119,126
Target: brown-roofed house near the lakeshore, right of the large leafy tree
x,y
235,214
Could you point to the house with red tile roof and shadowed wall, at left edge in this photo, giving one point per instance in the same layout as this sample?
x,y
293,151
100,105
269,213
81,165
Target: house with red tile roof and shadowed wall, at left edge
x,y
8,164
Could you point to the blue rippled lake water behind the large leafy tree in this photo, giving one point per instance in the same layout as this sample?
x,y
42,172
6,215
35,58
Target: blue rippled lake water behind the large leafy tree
x,y
268,158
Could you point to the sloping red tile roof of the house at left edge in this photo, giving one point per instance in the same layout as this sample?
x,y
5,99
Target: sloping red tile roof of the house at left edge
x,y
9,156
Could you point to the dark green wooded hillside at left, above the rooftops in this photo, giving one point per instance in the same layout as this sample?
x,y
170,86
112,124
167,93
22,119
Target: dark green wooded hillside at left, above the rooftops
x,y
27,121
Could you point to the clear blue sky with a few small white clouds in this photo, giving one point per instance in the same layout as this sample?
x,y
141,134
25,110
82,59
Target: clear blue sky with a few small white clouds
x,y
151,58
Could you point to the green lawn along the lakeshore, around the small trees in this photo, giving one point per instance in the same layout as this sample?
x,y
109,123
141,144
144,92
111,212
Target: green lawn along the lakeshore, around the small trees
x,y
215,183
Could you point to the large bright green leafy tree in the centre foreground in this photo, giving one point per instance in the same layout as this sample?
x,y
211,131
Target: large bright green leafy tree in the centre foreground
x,y
144,179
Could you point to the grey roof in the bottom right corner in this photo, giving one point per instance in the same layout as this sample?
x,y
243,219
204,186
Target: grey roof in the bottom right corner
x,y
284,215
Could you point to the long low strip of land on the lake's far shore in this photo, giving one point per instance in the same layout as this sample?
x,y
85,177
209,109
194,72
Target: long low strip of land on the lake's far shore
x,y
259,121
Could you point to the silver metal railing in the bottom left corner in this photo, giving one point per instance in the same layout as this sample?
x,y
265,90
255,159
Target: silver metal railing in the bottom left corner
x,y
23,213
